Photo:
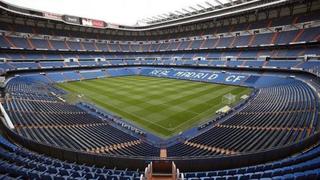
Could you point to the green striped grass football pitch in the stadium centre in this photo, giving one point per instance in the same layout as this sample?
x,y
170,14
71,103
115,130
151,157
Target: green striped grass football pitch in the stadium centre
x,y
162,106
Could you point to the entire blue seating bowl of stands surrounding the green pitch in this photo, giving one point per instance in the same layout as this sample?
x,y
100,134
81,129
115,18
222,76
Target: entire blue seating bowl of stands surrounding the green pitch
x,y
278,57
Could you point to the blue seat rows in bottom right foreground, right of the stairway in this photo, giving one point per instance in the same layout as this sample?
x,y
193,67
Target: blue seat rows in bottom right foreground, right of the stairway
x,y
303,166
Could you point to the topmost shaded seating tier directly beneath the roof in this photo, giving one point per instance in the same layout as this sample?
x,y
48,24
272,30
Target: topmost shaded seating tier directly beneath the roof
x,y
300,18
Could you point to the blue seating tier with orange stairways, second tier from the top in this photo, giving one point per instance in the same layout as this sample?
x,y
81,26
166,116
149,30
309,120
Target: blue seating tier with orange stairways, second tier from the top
x,y
285,37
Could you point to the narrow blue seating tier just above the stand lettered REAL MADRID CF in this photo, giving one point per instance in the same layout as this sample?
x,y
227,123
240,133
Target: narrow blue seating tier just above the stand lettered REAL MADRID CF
x,y
311,65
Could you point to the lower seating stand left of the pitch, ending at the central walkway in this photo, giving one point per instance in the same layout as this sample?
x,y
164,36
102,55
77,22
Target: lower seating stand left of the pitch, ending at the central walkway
x,y
32,115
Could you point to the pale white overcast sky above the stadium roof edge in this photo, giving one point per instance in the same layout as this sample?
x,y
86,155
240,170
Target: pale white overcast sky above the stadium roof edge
x,y
125,12
